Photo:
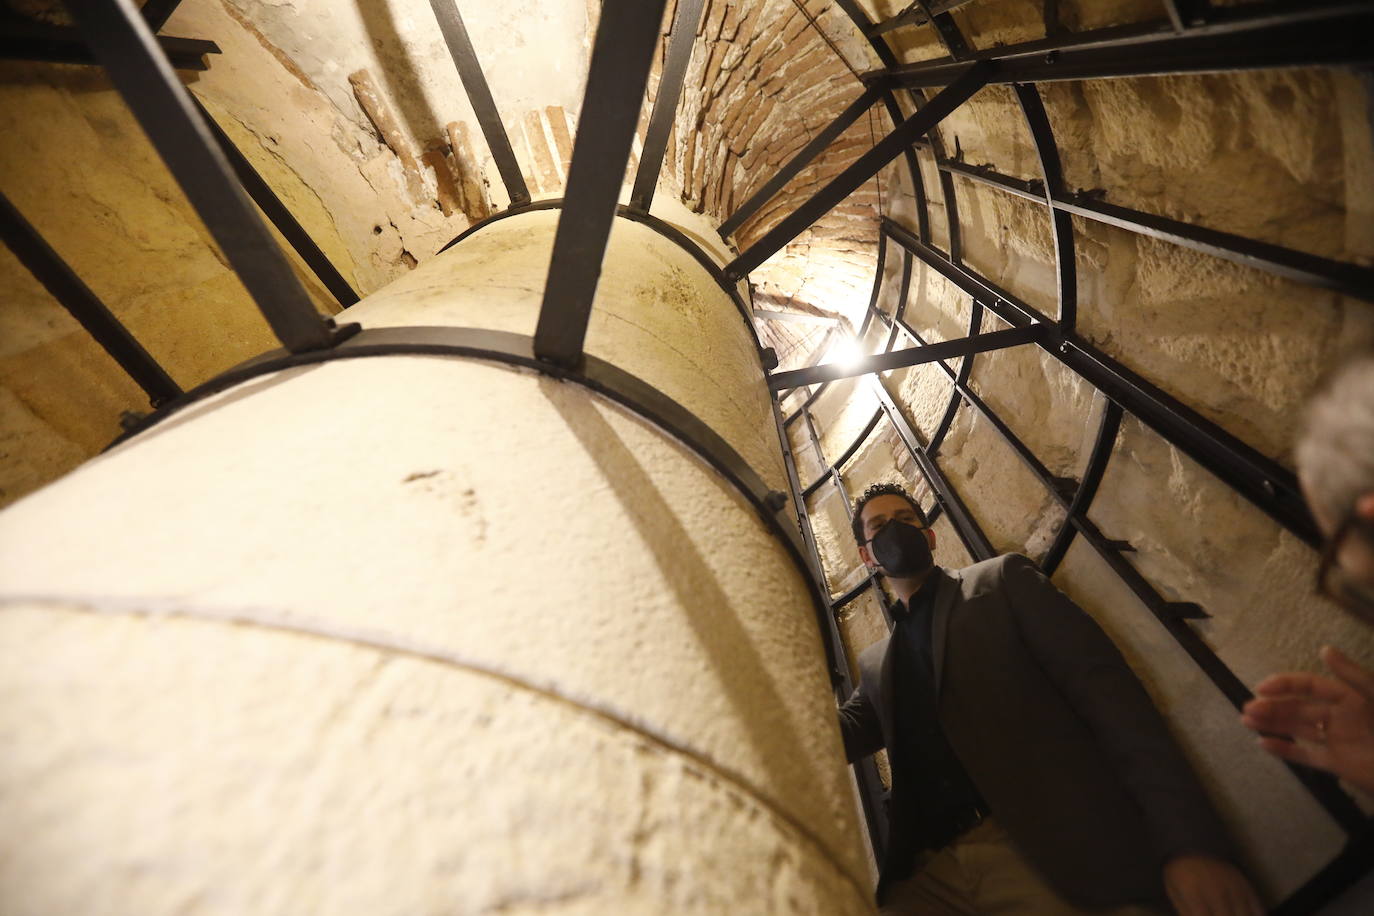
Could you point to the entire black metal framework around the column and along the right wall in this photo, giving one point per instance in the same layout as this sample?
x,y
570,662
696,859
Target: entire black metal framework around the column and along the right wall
x,y
1195,38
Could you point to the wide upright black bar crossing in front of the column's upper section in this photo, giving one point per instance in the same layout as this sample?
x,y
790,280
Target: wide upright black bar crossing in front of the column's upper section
x,y
624,49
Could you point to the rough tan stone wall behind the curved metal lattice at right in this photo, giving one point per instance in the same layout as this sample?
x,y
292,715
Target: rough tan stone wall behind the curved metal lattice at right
x,y
1243,348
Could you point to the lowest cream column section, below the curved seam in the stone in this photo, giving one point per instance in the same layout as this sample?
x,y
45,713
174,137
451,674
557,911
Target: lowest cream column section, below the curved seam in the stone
x,y
166,764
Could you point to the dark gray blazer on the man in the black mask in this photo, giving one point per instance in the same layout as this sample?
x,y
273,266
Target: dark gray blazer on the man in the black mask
x,y
1055,730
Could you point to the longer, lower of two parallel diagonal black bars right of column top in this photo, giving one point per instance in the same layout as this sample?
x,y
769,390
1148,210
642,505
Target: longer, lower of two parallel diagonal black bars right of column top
x,y
865,168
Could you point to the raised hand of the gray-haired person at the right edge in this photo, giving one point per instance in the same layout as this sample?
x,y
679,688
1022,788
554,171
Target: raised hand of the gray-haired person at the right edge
x,y
1320,722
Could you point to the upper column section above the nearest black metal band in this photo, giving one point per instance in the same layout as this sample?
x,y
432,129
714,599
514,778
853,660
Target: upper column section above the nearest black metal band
x,y
657,315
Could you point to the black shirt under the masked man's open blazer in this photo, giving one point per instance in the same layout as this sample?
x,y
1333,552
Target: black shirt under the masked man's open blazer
x,y
932,793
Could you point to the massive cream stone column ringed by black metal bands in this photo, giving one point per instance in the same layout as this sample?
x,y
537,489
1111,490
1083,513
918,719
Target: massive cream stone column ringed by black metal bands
x,y
421,634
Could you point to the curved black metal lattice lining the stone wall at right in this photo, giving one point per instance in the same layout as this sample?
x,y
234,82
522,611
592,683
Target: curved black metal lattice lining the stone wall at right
x,y
1200,39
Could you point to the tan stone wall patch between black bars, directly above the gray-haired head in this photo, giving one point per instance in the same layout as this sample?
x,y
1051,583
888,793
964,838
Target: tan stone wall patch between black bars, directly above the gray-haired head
x,y
1244,348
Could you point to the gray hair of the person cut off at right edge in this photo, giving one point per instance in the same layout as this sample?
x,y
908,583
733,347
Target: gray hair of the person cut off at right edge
x,y
1336,450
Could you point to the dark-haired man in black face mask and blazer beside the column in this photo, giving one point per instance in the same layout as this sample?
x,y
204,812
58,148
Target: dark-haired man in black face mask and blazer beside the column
x,y
1031,774
